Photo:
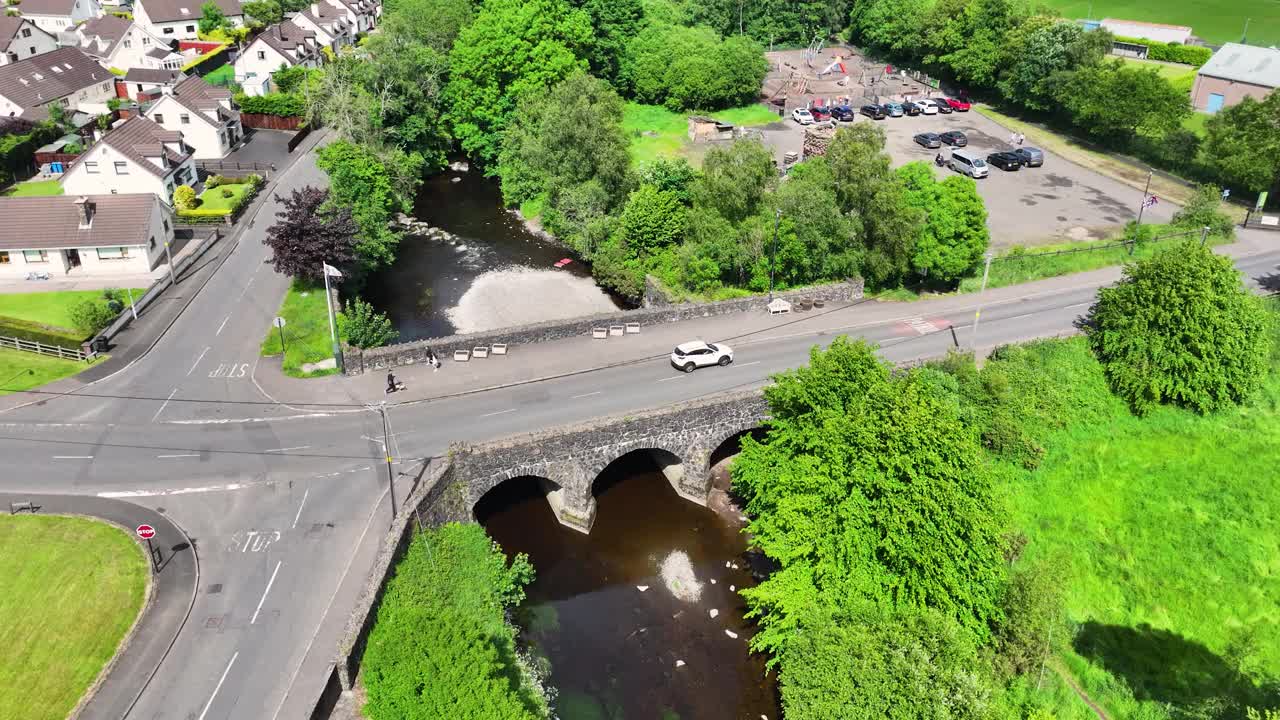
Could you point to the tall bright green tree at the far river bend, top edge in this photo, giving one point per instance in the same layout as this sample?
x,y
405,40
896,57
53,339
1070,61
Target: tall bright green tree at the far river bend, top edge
x,y
513,49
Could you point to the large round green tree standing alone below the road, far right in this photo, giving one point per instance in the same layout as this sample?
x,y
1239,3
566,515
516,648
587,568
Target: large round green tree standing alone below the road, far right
x,y
1181,330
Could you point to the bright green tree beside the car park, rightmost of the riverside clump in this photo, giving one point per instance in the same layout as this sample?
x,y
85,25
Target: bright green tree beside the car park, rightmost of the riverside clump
x,y
954,235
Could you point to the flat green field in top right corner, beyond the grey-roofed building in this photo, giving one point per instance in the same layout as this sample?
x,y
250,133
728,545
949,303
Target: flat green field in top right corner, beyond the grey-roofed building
x,y
1215,21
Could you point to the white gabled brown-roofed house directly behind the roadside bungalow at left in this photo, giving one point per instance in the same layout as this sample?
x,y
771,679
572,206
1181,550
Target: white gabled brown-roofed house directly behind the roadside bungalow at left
x,y
136,157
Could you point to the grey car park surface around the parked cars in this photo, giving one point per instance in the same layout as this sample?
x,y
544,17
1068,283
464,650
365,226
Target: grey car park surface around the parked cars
x,y
1057,203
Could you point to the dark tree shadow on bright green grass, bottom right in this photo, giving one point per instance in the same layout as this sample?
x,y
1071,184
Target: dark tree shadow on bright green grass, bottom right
x,y
1163,667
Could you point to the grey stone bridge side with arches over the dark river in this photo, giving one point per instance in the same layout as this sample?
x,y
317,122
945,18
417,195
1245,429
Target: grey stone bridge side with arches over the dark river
x,y
566,462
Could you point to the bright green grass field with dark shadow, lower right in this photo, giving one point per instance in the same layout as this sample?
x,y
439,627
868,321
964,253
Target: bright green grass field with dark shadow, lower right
x,y
1169,527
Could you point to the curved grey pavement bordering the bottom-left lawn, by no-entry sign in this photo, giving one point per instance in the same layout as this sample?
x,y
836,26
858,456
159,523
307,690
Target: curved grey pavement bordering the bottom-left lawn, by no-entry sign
x,y
173,594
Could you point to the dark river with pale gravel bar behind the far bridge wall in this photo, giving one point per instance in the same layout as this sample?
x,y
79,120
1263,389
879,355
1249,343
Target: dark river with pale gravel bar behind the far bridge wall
x,y
495,274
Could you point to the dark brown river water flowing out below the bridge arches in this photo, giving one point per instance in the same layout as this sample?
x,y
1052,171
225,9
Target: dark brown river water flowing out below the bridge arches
x,y
614,649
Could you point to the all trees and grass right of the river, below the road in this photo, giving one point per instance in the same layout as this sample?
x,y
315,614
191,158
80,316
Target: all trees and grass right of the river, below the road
x,y
949,535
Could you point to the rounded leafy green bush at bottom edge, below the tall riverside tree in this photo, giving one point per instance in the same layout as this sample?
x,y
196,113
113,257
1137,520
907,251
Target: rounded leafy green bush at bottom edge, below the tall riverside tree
x,y
871,664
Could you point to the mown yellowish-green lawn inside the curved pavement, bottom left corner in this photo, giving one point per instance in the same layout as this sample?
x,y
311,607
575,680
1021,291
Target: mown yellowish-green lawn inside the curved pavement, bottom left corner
x,y
72,590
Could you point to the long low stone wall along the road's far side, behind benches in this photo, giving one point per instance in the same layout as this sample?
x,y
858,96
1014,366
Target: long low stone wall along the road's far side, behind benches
x,y
413,353
